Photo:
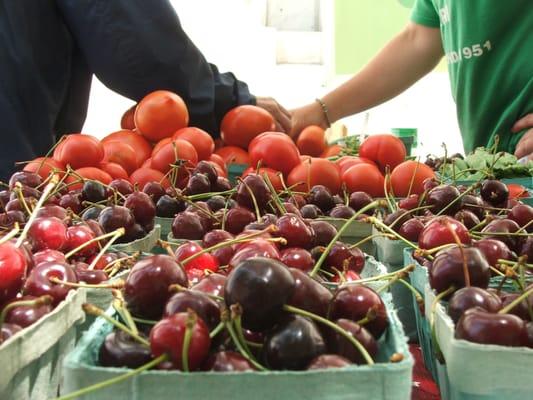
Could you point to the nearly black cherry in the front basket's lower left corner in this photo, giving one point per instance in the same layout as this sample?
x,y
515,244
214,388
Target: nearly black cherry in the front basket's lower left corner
x,y
121,350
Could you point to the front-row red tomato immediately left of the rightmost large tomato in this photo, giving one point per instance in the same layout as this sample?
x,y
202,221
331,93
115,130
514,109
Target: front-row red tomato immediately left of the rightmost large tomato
x,y
364,178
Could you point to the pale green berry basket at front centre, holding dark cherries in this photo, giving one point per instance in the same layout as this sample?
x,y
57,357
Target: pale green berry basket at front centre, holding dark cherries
x,y
382,381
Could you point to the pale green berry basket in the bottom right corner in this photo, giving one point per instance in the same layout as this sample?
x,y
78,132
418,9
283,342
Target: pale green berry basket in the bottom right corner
x,y
480,372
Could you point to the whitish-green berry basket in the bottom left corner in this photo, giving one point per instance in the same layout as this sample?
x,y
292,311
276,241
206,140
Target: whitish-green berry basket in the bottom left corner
x,y
32,359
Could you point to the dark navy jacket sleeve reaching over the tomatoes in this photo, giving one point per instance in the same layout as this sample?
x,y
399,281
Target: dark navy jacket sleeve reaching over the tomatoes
x,y
137,46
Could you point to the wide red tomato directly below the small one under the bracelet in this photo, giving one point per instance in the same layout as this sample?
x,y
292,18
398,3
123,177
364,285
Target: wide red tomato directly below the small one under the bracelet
x,y
316,171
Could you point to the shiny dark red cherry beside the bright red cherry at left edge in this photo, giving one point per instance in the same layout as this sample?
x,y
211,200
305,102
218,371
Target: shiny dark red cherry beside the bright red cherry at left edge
x,y
38,282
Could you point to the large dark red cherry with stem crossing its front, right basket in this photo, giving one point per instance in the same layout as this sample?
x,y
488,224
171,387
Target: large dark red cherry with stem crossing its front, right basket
x,y
447,269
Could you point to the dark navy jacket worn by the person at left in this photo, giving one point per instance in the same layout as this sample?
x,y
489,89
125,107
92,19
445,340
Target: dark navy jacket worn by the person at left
x,y
49,50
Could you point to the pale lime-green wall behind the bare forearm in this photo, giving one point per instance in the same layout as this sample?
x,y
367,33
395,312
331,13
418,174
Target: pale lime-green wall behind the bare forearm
x,y
362,27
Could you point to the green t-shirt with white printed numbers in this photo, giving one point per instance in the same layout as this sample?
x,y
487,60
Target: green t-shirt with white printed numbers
x,y
489,50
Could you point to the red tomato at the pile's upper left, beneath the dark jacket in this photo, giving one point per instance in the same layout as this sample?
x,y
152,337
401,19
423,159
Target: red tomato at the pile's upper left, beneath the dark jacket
x,y
79,150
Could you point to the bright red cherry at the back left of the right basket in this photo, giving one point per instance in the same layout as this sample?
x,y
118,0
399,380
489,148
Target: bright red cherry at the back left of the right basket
x,y
438,232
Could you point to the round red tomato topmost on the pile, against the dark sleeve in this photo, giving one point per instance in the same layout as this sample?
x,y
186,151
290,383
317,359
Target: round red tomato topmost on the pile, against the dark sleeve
x,y
160,114
